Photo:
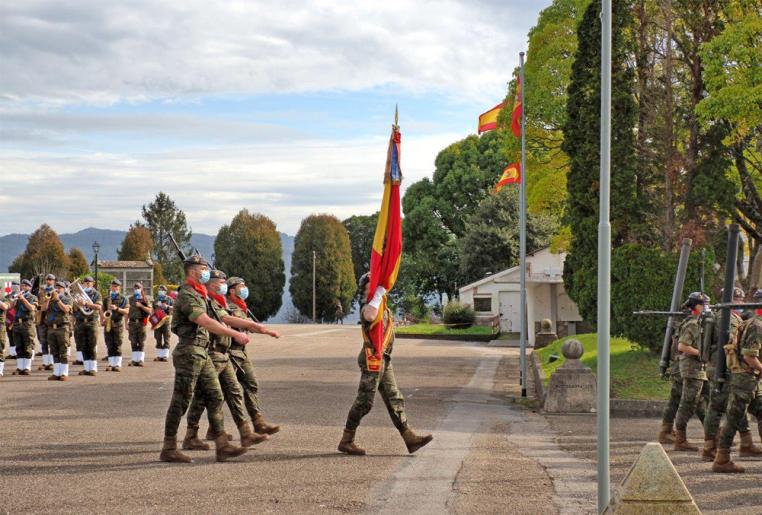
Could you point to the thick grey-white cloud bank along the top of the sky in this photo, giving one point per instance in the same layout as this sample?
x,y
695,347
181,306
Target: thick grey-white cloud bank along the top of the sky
x,y
95,52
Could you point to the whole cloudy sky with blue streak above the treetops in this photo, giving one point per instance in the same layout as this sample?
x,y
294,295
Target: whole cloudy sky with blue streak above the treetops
x,y
282,107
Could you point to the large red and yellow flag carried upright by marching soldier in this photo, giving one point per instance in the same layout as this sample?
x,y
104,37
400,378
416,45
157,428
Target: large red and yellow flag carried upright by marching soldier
x,y
386,255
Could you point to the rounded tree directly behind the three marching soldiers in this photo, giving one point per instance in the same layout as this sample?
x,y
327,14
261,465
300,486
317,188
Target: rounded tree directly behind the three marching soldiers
x,y
250,247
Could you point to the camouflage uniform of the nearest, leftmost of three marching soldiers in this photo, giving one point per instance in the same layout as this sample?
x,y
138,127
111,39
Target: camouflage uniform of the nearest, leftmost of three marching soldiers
x,y
192,363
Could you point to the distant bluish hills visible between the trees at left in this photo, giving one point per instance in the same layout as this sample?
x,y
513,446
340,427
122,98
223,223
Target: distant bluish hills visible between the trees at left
x,y
12,245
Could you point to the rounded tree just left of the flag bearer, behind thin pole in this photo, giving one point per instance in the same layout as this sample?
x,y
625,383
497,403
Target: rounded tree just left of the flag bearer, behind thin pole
x,y
327,237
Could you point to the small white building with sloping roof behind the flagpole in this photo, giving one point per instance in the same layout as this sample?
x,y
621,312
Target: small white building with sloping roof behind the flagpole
x,y
498,295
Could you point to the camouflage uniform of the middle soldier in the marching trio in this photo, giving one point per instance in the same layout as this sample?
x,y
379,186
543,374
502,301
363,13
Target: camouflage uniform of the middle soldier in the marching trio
x,y
219,348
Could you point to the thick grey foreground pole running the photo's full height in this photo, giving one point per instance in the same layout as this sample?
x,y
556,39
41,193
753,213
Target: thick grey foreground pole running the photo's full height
x,y
604,263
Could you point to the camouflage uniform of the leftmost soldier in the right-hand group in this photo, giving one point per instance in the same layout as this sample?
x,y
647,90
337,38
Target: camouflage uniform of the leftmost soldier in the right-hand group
x,y
692,371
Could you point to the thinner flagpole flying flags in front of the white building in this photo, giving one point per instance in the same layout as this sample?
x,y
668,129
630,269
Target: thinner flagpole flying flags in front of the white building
x,y
523,236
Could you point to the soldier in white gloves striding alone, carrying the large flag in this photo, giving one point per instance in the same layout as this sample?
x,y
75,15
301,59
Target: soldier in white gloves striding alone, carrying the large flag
x,y
383,381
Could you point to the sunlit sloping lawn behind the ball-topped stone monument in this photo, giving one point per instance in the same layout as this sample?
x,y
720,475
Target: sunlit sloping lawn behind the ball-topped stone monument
x,y
634,371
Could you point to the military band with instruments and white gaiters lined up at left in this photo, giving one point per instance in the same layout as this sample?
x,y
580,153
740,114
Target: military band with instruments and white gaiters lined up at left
x,y
55,314
